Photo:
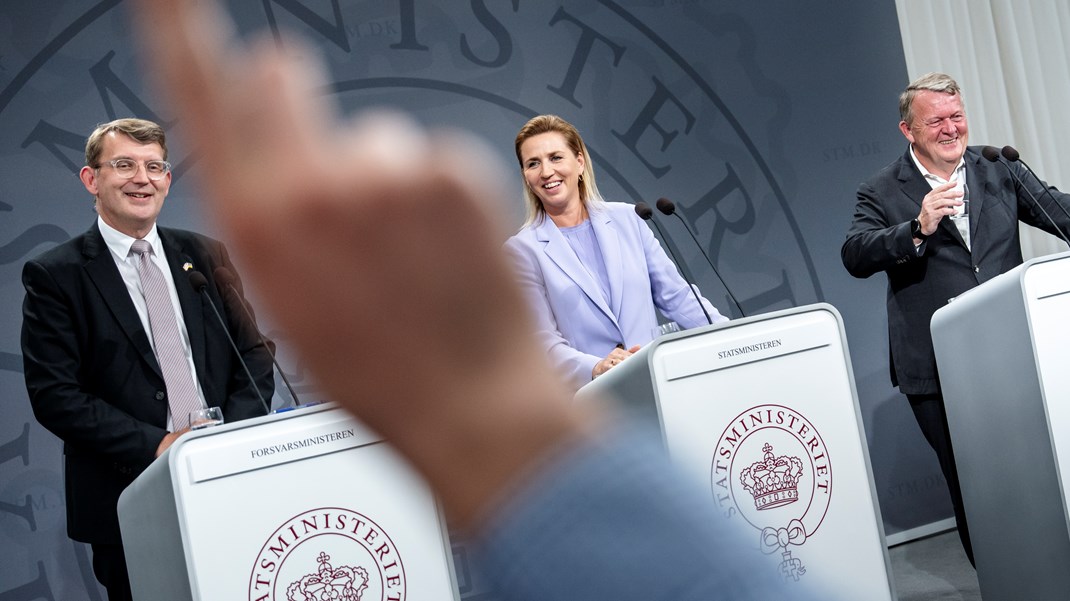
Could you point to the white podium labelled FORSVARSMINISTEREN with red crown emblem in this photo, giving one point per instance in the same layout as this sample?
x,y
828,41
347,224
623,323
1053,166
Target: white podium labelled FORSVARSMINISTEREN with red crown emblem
x,y
289,506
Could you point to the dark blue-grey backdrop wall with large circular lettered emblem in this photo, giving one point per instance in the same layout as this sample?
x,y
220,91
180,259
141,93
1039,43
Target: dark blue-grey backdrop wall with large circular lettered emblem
x,y
758,119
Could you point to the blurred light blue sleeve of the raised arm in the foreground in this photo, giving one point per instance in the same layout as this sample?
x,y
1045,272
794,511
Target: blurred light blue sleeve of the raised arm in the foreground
x,y
614,519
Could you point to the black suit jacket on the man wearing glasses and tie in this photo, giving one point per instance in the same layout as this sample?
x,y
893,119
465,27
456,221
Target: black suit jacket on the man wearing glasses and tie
x,y
93,377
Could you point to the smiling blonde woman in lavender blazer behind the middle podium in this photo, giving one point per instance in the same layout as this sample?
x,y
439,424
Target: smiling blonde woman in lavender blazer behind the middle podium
x,y
592,271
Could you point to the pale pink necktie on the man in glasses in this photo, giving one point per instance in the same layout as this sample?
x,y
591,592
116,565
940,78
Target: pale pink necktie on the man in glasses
x,y
182,396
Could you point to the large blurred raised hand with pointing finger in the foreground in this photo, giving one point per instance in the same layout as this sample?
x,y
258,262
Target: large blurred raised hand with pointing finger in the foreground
x,y
376,246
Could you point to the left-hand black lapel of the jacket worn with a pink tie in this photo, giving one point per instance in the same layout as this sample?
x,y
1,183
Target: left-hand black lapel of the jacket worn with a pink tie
x,y
104,274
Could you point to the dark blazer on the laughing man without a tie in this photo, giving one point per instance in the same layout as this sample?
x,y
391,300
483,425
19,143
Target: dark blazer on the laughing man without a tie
x,y
880,241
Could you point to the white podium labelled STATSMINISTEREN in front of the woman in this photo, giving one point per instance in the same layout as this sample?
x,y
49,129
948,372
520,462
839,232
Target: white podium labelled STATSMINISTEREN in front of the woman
x,y
765,411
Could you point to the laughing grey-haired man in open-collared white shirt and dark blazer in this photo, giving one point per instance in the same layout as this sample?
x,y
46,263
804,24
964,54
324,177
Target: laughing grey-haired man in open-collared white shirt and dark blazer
x,y
939,221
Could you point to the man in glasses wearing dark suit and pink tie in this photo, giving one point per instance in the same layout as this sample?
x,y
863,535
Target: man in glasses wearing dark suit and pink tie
x,y
93,349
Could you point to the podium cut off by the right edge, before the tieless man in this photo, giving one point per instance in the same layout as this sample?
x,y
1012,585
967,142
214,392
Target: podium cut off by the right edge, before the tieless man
x,y
1003,350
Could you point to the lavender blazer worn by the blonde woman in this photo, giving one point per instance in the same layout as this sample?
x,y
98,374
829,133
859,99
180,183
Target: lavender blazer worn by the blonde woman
x,y
576,325
